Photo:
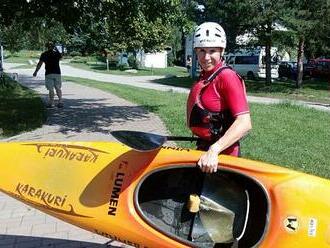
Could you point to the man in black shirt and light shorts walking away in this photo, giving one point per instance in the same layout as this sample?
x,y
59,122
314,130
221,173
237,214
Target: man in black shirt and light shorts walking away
x,y
51,58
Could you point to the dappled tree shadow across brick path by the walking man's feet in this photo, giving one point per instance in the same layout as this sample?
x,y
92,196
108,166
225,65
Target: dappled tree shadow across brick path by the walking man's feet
x,y
85,112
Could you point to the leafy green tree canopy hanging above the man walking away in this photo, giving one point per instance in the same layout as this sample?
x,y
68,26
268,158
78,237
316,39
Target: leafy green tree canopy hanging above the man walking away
x,y
125,24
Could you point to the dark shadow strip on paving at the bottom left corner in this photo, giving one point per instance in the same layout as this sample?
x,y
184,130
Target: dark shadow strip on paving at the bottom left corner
x,y
19,241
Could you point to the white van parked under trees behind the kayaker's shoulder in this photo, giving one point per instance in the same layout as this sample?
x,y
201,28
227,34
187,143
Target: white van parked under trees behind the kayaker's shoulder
x,y
251,63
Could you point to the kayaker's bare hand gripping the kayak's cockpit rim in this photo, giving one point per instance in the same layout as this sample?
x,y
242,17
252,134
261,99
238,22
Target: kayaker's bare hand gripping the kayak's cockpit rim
x,y
208,162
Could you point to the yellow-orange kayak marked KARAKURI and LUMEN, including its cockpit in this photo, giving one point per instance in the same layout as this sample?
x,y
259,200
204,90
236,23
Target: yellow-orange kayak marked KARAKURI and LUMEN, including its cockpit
x,y
160,199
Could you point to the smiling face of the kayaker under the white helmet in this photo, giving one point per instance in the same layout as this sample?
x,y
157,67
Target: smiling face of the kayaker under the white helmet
x,y
208,57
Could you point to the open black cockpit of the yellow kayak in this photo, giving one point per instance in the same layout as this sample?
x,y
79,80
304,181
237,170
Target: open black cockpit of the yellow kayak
x,y
204,210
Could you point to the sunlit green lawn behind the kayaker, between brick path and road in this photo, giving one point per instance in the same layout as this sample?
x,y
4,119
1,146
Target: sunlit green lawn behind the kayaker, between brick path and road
x,y
284,134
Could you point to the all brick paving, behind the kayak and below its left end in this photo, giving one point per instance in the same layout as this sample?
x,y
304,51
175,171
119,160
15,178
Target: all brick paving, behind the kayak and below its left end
x,y
89,114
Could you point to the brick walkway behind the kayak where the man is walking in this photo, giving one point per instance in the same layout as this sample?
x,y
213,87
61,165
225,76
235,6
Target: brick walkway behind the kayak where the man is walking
x,y
88,114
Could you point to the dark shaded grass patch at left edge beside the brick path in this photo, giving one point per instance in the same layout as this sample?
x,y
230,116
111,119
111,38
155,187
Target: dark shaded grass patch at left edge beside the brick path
x,y
20,109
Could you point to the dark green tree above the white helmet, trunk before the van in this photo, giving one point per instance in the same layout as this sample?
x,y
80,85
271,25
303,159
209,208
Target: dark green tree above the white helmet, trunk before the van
x,y
248,16
